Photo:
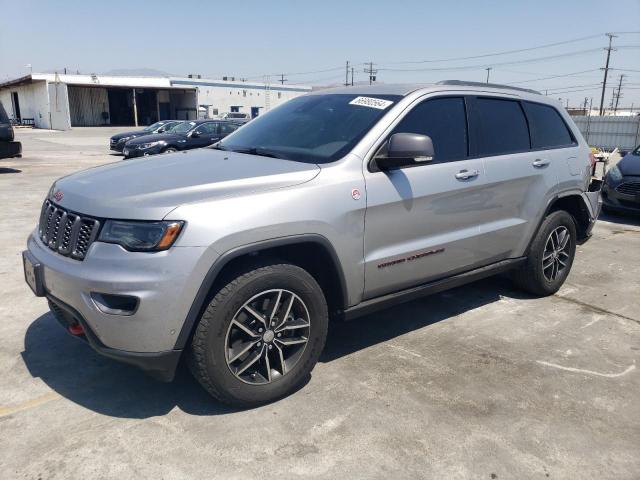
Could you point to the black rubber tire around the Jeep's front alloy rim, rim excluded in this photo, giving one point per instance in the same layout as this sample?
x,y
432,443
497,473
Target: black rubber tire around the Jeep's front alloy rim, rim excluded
x,y
207,357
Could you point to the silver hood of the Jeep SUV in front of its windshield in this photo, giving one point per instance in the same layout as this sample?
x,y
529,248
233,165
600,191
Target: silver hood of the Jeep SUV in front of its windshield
x,y
150,187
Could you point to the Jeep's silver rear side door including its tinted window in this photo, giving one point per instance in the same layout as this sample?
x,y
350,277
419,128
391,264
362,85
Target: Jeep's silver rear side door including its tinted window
x,y
519,178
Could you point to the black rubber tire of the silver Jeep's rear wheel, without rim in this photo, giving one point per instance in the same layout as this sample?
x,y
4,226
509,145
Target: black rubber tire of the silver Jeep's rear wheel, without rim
x,y
532,277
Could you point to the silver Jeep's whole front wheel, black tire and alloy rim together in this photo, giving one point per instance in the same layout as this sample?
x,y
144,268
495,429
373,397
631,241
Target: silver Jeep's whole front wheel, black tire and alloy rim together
x,y
261,334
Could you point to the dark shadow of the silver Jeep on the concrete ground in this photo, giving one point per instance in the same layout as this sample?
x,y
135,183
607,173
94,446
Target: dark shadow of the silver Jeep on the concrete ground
x,y
73,370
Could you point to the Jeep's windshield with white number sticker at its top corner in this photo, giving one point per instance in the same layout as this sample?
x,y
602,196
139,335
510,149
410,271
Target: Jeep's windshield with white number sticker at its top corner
x,y
312,128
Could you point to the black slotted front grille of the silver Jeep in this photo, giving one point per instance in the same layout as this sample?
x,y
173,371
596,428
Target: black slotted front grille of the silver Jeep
x,y
66,233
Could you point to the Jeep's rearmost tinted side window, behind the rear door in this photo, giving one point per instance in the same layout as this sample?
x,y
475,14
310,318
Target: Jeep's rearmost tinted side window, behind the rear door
x,y
548,130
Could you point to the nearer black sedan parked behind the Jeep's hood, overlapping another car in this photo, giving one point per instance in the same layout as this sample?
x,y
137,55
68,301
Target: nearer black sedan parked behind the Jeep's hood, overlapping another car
x,y
187,135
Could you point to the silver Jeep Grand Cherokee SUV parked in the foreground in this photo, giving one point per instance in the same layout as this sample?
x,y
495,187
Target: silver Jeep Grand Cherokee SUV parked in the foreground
x,y
333,205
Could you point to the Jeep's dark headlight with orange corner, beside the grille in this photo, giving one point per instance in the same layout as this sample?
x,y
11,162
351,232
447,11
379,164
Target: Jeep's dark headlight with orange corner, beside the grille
x,y
141,236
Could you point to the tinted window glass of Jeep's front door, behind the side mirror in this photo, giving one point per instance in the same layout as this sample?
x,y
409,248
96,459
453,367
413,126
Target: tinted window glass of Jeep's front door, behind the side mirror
x,y
442,119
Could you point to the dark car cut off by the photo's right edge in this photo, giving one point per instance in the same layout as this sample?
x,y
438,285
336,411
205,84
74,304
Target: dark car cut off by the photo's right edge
x,y
621,190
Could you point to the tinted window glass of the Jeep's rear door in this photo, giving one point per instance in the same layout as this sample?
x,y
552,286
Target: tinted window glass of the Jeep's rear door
x,y
501,127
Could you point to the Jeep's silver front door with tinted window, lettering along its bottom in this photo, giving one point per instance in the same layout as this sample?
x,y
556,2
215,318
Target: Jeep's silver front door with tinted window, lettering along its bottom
x,y
422,221
